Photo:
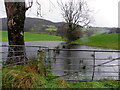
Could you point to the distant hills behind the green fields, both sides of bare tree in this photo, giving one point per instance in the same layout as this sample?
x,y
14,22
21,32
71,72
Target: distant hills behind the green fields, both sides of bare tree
x,y
42,26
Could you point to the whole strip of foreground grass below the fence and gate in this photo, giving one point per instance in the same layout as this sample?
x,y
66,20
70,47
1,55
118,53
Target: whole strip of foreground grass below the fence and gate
x,y
28,77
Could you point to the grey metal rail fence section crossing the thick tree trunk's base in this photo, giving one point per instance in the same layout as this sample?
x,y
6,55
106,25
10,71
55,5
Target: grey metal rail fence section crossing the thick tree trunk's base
x,y
29,54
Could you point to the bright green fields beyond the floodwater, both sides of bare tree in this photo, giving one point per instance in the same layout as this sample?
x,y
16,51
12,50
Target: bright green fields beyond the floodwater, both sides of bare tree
x,y
107,41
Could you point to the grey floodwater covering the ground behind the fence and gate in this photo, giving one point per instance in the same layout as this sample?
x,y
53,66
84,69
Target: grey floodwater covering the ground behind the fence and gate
x,y
76,64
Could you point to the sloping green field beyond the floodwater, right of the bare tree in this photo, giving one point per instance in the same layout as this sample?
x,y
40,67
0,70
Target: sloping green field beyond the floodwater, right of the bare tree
x,y
107,41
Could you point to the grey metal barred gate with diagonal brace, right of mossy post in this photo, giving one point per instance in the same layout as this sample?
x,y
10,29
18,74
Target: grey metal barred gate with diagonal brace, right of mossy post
x,y
74,64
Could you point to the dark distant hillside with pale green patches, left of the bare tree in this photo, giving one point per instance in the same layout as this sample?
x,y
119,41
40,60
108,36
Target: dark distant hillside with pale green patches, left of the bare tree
x,y
37,25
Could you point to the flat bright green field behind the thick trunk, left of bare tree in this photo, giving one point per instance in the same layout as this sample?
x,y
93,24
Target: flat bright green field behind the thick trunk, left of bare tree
x,y
32,37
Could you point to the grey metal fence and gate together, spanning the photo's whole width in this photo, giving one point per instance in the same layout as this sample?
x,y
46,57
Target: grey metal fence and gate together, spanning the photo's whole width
x,y
71,64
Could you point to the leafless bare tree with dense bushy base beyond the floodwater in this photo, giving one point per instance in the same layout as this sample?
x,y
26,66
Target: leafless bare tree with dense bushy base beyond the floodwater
x,y
76,15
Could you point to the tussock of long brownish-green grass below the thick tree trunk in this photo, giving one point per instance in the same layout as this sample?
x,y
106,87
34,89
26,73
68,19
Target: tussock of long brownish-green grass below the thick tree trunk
x,y
21,77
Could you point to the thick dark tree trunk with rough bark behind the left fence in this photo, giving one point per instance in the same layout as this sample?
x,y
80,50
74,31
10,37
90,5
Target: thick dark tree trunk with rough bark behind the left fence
x,y
15,22
